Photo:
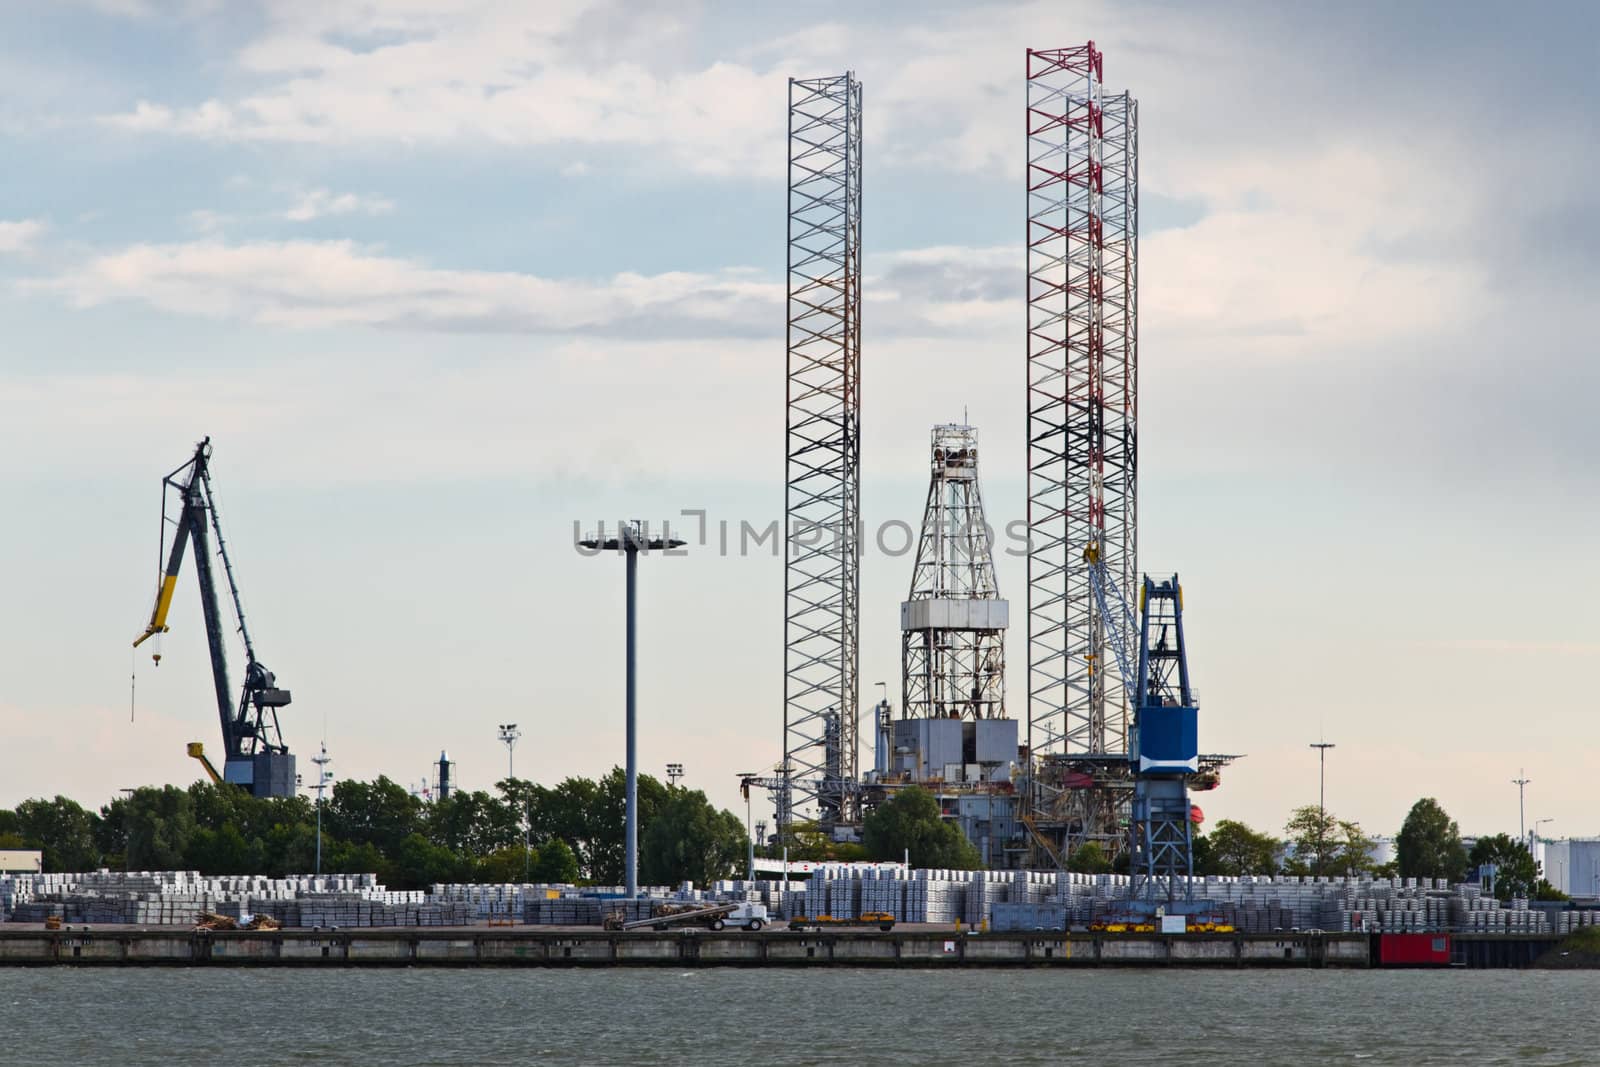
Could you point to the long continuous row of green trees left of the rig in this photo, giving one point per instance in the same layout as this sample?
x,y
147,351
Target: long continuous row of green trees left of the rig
x,y
574,833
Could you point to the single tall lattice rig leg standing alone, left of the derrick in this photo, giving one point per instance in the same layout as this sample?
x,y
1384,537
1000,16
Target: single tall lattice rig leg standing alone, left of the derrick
x,y
823,454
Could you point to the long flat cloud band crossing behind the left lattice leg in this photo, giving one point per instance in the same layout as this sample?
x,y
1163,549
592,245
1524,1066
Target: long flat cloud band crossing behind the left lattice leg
x,y
311,286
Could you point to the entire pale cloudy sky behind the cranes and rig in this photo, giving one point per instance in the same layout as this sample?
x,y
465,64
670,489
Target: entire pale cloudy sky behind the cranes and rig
x,y
444,279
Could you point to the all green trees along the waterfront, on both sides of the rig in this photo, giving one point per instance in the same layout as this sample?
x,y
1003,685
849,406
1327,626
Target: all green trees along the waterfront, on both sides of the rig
x,y
575,834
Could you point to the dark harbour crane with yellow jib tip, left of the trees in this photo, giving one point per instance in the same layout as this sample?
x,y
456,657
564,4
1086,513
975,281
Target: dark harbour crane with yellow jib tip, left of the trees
x,y
254,748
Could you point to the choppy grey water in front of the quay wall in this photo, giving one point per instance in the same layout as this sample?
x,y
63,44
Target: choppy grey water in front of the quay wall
x,y
730,1017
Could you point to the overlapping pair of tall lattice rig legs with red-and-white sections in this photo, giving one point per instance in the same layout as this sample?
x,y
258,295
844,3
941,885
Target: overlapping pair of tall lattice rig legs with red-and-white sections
x,y
1082,441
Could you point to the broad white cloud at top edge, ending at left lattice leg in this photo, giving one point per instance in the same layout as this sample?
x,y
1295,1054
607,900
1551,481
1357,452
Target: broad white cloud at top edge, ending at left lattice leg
x,y
498,74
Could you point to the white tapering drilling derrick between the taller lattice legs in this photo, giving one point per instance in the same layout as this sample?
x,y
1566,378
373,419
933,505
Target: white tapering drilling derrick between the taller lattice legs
x,y
953,626
